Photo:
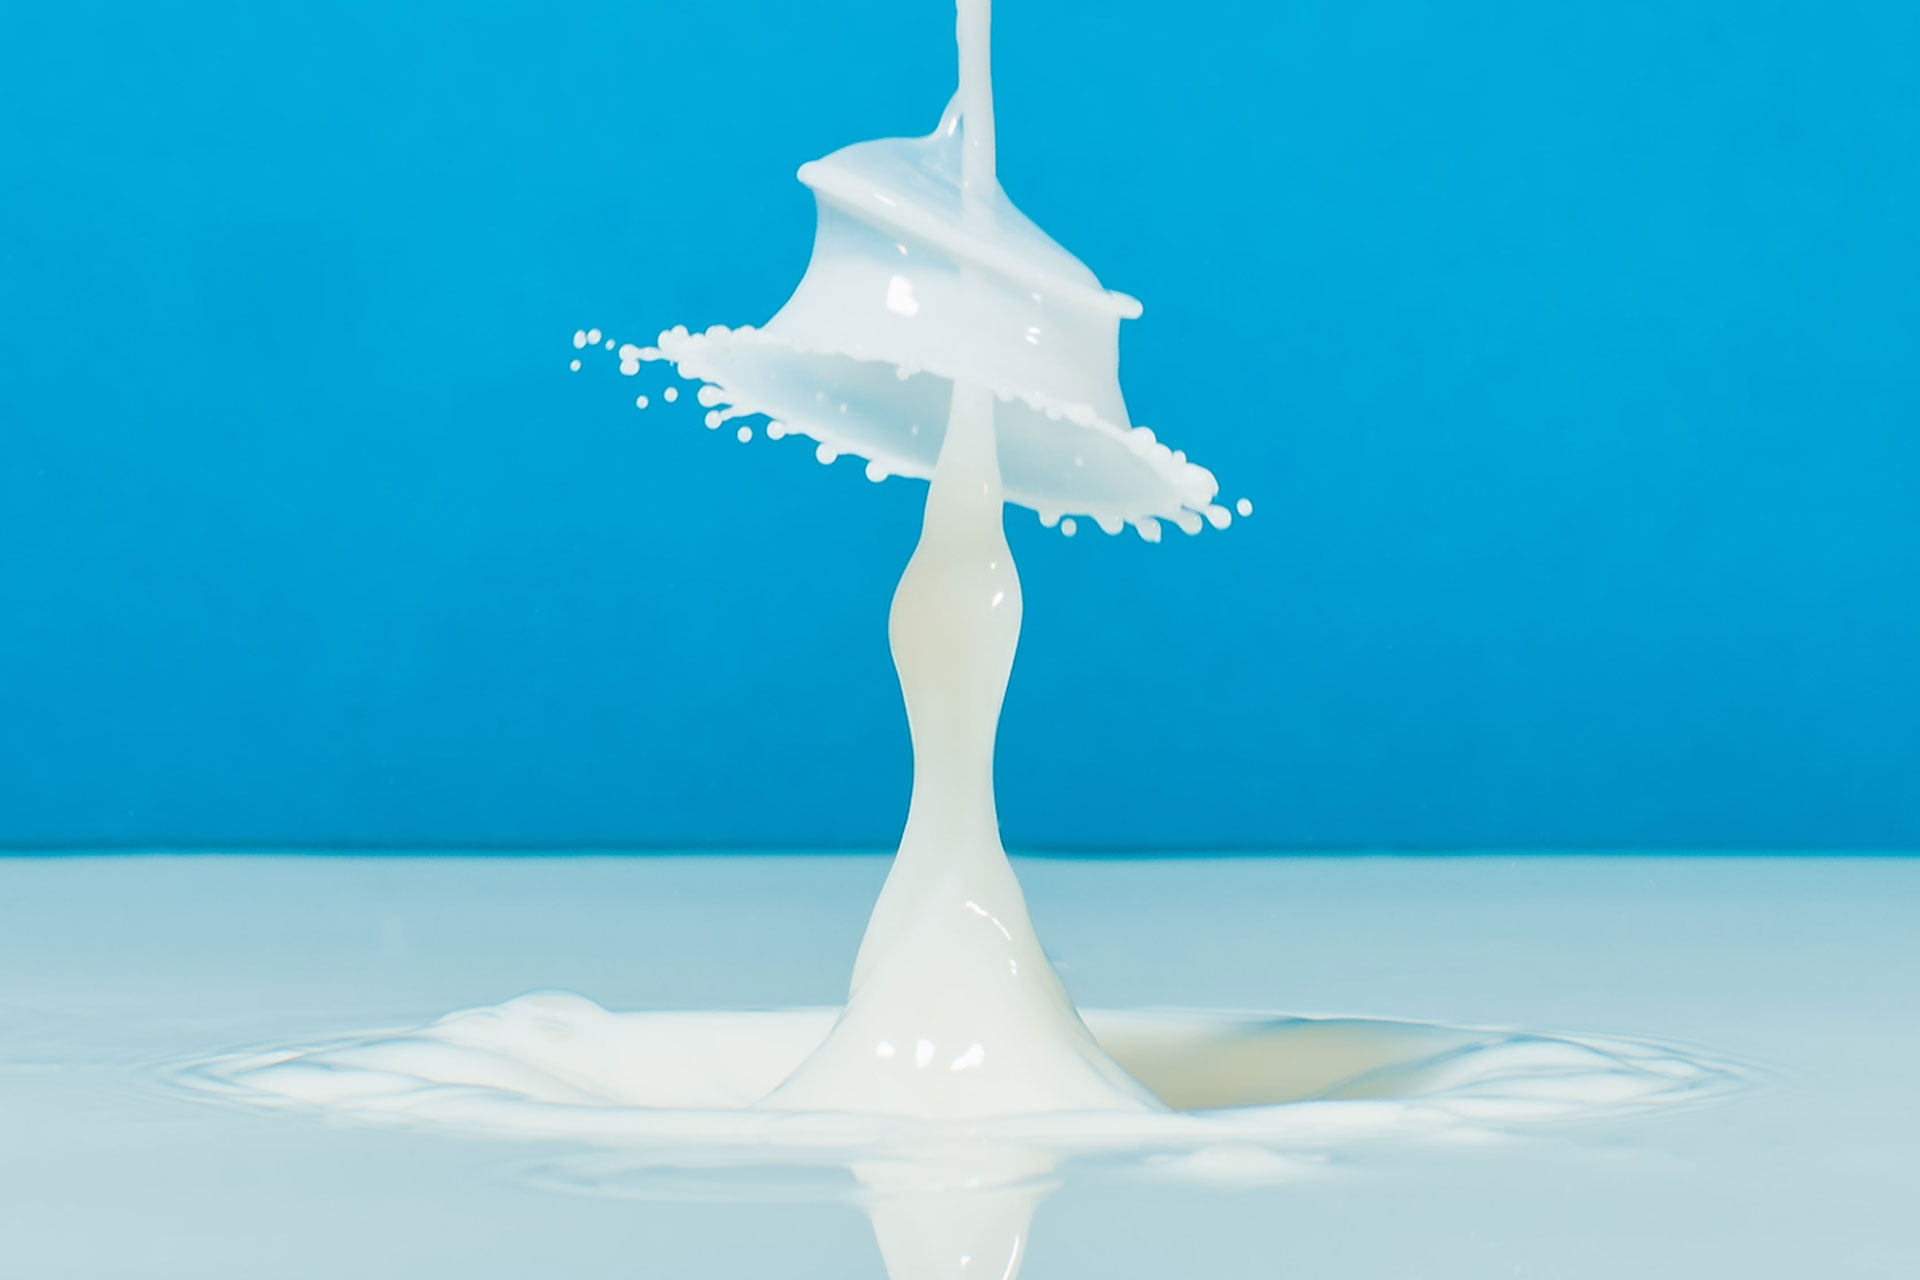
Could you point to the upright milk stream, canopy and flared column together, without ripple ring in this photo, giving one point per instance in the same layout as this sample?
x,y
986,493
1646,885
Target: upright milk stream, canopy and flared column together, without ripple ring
x,y
940,333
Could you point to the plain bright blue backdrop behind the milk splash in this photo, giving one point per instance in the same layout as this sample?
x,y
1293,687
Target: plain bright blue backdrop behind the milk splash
x,y
1572,356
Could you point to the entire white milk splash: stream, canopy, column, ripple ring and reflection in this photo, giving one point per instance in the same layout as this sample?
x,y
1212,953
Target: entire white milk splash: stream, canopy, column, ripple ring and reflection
x,y
938,333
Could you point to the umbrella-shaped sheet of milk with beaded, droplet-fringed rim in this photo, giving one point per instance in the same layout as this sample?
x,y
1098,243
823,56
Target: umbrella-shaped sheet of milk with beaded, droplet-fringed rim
x,y
921,279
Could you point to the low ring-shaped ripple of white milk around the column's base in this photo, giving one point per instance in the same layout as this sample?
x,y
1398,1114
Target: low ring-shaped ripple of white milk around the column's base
x,y
562,1068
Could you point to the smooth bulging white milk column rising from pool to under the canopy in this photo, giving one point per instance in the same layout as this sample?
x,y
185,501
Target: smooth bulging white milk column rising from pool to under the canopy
x,y
955,1008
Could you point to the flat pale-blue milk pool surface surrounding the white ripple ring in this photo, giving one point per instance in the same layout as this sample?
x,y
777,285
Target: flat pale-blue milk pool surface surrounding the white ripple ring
x,y
122,970
